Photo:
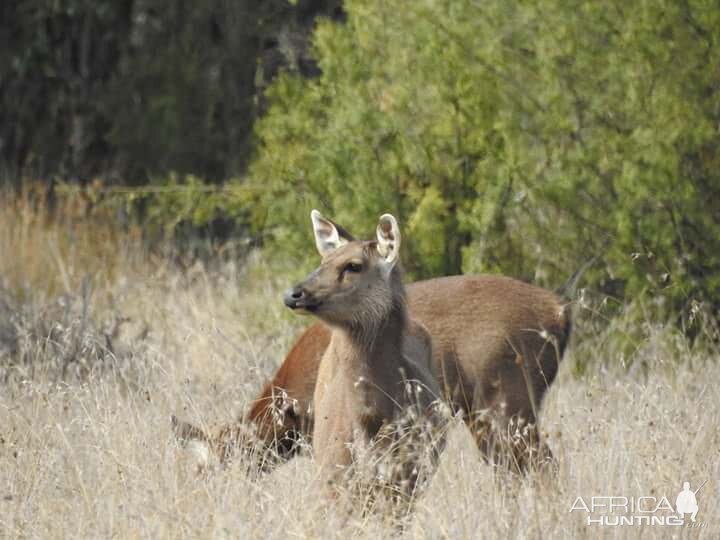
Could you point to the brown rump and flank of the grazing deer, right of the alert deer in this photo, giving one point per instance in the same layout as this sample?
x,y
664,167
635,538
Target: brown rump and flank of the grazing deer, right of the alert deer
x,y
498,341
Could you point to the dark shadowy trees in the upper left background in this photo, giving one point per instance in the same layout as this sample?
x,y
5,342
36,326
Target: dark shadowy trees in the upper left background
x,y
129,89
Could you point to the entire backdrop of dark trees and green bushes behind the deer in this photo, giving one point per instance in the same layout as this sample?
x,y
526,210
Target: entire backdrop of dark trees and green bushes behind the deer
x,y
514,137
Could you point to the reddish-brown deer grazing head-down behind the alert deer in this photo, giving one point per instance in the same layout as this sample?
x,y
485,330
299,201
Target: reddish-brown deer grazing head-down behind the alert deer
x,y
497,345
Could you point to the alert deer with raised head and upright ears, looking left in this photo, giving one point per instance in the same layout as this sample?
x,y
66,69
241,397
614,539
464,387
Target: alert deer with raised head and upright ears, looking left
x,y
376,373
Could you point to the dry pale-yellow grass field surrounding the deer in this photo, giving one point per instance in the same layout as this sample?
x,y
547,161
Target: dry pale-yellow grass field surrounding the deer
x,y
91,455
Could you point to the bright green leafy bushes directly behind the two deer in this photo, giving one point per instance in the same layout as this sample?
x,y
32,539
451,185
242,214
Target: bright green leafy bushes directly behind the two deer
x,y
519,137
